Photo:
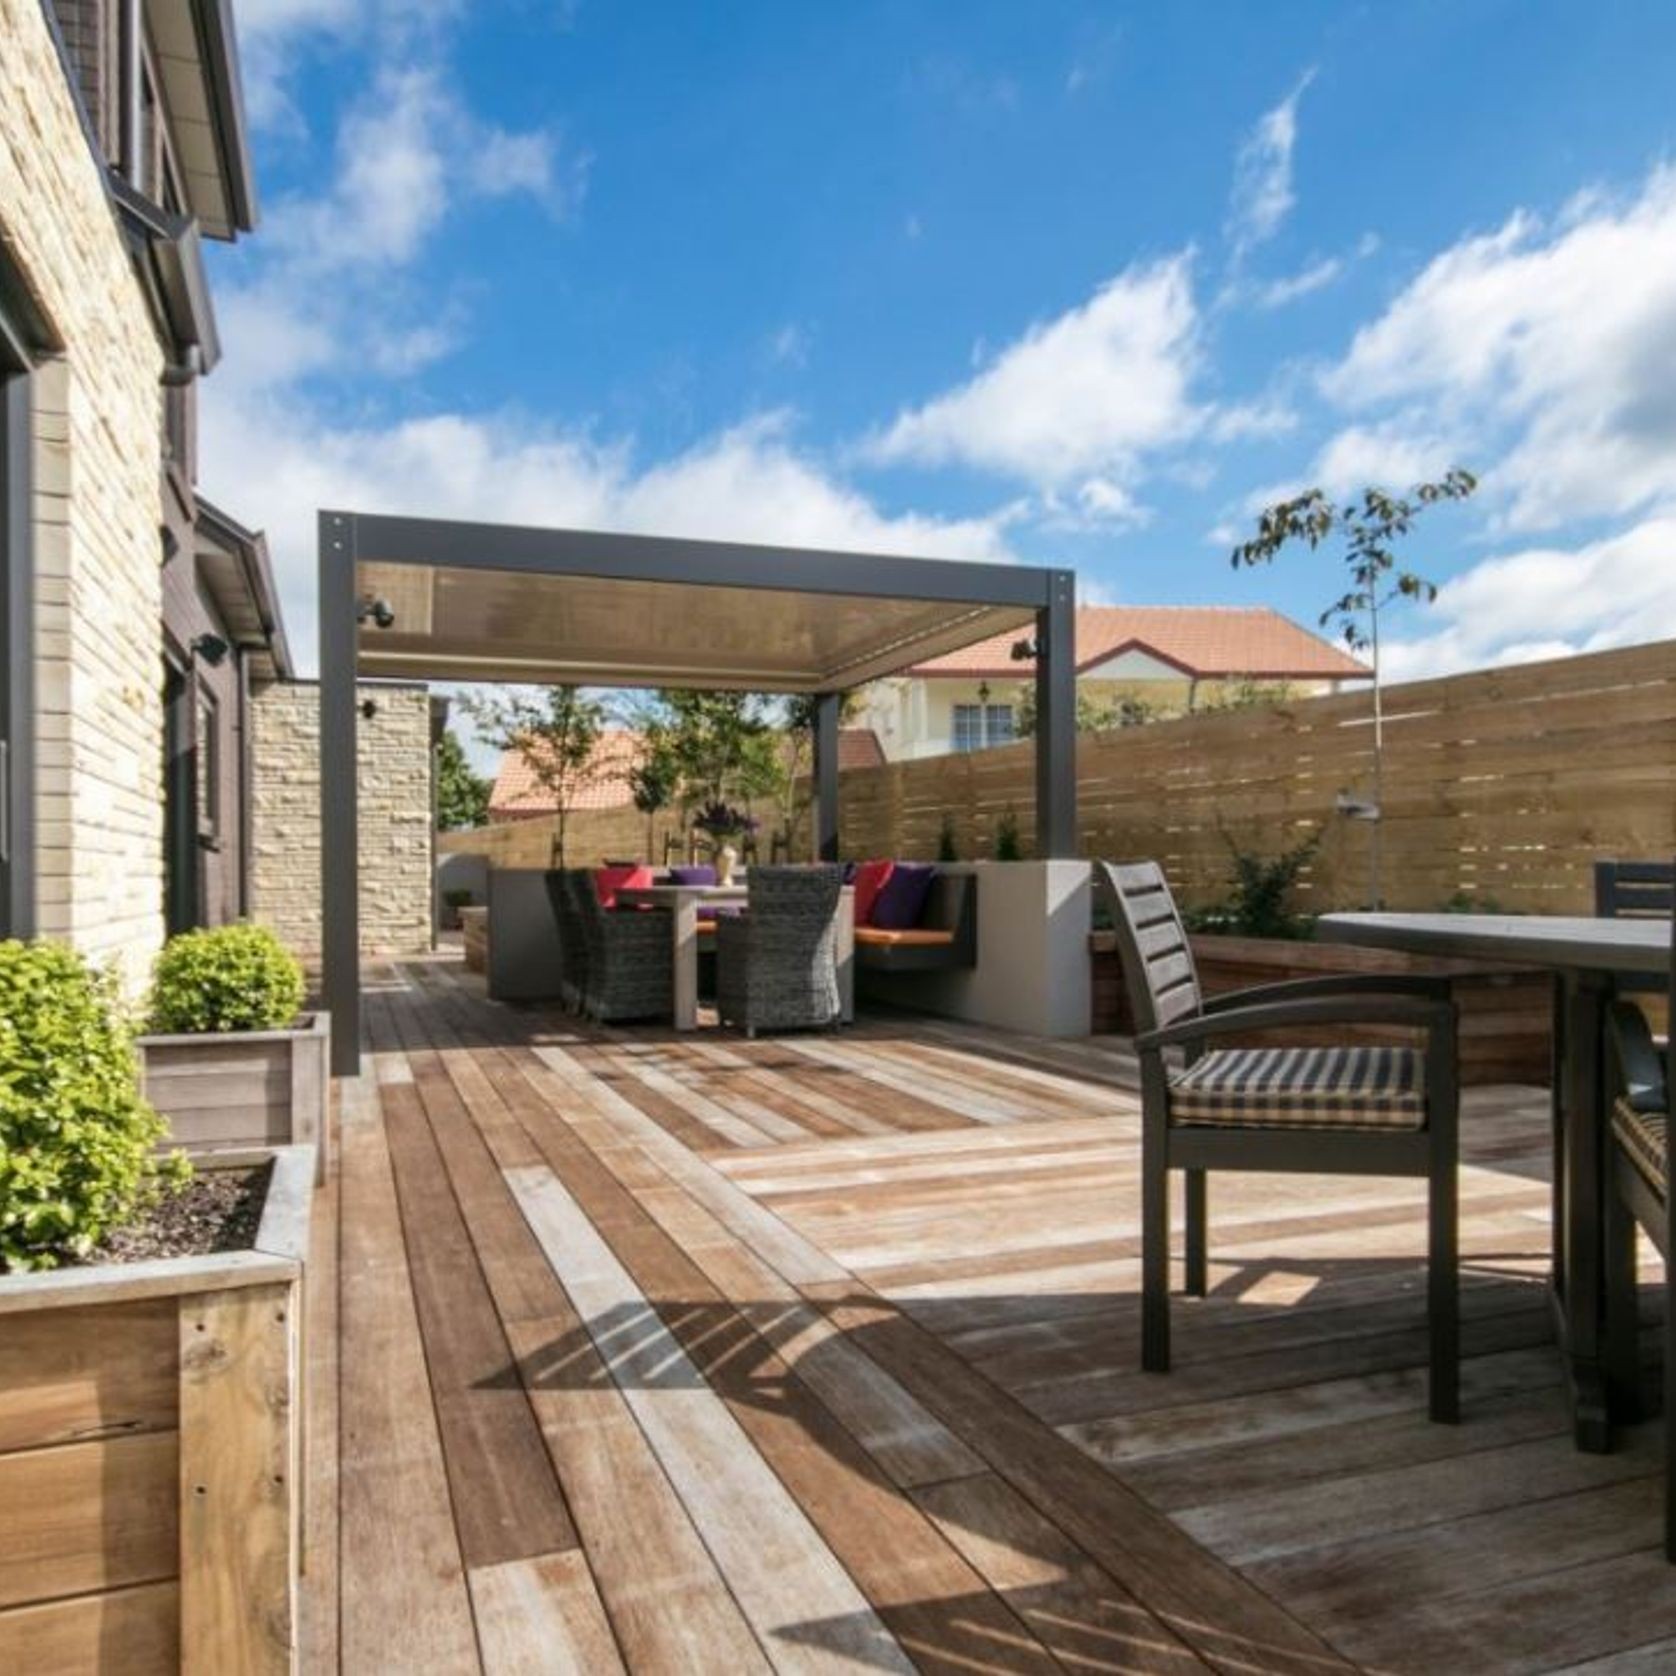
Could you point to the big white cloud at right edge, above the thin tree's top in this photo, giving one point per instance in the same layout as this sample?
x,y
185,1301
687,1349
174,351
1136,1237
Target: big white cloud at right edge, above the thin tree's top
x,y
1551,346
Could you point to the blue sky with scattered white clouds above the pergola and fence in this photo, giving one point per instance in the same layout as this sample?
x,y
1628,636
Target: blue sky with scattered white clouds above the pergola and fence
x,y
1073,284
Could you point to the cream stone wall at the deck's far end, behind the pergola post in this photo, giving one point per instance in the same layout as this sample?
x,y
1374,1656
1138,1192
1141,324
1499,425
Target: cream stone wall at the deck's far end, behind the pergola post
x,y
396,859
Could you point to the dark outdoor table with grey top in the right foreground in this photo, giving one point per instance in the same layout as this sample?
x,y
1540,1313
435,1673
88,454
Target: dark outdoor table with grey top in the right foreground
x,y
1586,956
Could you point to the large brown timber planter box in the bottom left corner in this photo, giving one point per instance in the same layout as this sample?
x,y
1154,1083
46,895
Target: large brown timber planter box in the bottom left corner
x,y
152,1456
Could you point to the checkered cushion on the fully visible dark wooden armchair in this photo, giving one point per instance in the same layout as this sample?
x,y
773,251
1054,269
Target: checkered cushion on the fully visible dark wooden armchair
x,y
1303,1089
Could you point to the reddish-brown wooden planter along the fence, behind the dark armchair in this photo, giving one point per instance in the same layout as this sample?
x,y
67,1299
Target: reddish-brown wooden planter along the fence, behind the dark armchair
x,y
1506,1013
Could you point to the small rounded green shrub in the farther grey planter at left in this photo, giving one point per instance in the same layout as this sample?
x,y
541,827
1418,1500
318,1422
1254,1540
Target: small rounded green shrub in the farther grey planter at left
x,y
234,978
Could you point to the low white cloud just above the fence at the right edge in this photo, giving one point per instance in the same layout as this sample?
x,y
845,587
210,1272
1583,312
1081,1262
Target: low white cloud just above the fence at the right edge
x,y
1546,603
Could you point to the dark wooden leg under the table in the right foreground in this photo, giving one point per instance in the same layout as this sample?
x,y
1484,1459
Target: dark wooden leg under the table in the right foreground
x,y
1580,1260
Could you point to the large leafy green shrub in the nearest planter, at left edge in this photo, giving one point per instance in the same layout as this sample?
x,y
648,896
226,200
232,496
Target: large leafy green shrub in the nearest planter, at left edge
x,y
76,1137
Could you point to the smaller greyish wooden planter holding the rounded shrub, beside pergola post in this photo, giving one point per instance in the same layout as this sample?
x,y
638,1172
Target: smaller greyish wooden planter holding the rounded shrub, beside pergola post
x,y
244,1089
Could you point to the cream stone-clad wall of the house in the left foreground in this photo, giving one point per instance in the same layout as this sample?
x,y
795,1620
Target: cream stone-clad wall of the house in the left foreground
x,y
98,514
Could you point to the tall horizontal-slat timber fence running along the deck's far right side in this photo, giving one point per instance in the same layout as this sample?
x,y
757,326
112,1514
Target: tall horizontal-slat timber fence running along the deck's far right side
x,y
1501,787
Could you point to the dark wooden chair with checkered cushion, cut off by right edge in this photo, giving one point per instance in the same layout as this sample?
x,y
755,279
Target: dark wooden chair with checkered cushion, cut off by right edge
x,y
1638,1194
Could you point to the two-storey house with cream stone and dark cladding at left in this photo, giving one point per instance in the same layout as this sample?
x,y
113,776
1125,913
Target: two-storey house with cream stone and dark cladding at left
x,y
137,619
